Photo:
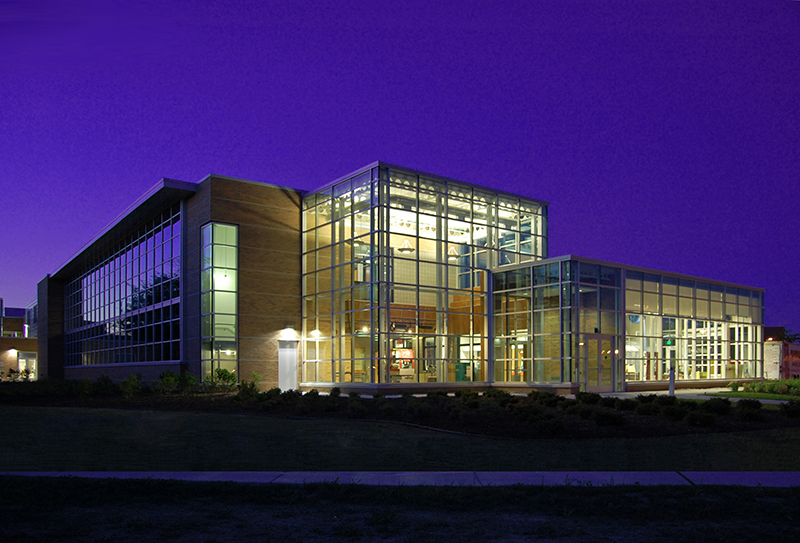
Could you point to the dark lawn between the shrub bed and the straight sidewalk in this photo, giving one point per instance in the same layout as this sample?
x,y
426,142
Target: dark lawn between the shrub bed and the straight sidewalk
x,y
101,439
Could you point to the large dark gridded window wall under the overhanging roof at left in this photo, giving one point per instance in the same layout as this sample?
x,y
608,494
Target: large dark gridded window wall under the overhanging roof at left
x,y
125,308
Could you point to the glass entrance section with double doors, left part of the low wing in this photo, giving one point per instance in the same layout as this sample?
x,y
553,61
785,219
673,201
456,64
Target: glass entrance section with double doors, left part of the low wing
x,y
549,318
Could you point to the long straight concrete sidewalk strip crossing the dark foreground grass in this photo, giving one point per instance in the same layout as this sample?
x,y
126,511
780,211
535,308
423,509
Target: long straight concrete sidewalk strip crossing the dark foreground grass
x,y
453,478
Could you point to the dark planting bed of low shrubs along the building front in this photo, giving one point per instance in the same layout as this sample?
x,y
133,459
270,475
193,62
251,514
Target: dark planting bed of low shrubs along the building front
x,y
492,413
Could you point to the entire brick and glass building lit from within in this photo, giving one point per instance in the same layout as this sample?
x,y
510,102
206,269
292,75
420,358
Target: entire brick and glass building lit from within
x,y
385,279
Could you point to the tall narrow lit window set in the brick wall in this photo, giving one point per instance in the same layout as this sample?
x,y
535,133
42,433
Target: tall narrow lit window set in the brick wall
x,y
218,299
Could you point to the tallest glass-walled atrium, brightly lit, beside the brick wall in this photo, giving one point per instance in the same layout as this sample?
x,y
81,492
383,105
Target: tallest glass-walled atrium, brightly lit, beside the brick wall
x,y
395,276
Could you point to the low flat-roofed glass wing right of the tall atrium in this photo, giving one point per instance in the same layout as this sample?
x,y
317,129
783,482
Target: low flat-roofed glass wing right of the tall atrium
x,y
603,326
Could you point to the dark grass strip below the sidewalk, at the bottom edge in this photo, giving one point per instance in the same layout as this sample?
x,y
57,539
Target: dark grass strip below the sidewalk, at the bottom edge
x,y
71,509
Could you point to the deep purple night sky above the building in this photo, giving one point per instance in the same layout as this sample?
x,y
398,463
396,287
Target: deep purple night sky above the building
x,y
664,133
